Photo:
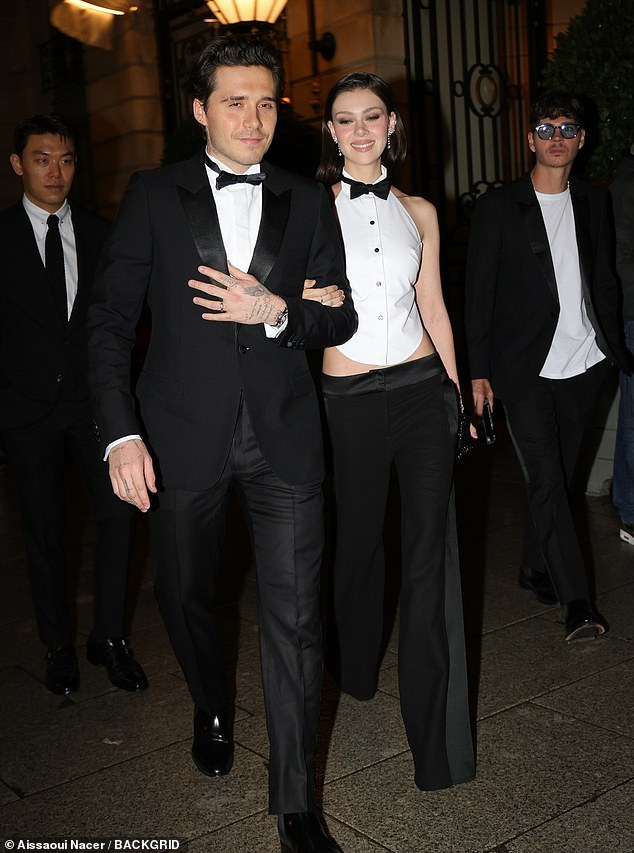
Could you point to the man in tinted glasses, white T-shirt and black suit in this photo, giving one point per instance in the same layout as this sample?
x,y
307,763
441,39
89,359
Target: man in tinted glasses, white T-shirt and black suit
x,y
542,320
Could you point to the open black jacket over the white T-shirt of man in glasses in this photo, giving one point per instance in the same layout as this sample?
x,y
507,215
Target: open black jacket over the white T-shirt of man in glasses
x,y
511,306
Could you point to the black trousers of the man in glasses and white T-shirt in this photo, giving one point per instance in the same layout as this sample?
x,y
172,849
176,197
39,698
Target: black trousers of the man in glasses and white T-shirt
x,y
548,428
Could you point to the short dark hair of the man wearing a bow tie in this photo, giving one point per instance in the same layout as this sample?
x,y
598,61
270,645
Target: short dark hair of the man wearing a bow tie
x,y
234,51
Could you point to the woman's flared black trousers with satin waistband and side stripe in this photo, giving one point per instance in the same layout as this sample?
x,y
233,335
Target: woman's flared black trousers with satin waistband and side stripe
x,y
404,416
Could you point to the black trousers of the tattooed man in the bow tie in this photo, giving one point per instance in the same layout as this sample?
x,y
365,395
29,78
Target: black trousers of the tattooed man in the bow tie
x,y
286,527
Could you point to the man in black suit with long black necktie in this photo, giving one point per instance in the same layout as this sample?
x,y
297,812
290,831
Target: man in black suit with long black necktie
x,y
44,400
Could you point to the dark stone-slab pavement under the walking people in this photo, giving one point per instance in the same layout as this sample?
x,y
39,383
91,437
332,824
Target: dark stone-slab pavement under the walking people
x,y
554,723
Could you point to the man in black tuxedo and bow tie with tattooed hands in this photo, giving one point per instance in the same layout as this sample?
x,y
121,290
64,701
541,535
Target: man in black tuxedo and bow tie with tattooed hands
x,y
226,399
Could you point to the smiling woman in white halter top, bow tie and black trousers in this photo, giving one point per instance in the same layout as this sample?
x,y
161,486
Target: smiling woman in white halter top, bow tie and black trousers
x,y
391,399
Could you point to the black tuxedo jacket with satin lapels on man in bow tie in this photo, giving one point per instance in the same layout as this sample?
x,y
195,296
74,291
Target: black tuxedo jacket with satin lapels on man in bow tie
x,y
196,371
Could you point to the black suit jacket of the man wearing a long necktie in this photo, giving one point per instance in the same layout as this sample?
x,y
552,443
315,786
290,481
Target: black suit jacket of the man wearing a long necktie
x,y
42,354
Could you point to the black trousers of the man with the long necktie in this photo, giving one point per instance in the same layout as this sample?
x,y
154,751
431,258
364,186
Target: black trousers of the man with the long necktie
x,y
38,458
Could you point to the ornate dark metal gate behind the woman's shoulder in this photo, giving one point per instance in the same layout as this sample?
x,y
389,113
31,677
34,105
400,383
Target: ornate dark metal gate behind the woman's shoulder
x,y
472,67
